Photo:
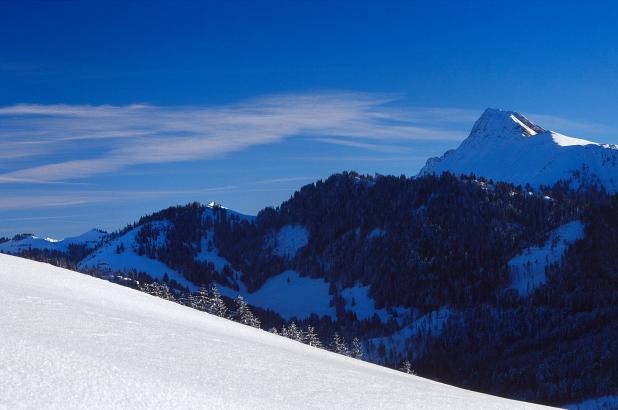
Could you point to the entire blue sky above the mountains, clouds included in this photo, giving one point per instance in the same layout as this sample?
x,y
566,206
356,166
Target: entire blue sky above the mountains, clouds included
x,y
110,110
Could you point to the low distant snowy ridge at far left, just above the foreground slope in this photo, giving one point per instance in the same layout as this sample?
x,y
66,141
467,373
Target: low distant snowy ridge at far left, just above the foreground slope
x,y
28,242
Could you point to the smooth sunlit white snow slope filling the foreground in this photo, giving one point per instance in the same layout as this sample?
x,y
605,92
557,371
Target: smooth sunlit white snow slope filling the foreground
x,y
68,340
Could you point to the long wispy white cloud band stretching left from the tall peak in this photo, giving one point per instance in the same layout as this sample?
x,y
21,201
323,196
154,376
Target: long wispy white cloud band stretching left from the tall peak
x,y
93,140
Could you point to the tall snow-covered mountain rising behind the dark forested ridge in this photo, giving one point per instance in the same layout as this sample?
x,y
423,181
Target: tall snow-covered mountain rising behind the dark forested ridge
x,y
506,146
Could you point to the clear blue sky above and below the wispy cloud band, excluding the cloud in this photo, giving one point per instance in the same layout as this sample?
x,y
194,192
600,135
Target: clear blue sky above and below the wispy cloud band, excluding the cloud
x,y
550,58
